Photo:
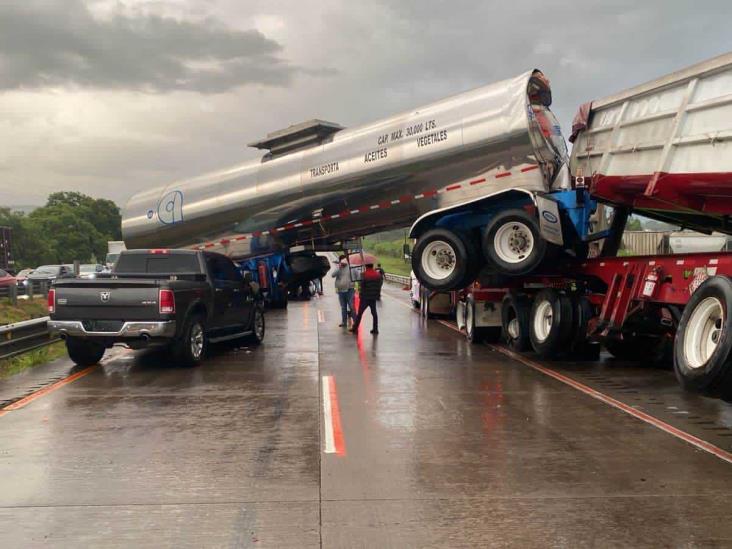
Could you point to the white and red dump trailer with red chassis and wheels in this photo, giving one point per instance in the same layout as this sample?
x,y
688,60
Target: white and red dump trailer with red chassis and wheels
x,y
662,150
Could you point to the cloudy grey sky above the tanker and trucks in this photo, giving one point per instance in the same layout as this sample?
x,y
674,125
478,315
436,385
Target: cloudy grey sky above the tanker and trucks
x,y
109,97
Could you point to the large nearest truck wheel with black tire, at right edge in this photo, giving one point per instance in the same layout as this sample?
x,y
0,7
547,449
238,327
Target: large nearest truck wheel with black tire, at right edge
x,y
704,339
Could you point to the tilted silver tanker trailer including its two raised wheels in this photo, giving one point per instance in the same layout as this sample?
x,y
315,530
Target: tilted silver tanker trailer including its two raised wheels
x,y
464,173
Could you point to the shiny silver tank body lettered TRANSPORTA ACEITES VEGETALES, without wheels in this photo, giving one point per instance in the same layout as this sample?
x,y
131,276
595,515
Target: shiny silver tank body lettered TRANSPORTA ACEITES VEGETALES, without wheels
x,y
321,184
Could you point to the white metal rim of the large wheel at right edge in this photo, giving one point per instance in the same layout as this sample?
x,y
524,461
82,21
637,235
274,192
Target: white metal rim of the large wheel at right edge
x,y
703,332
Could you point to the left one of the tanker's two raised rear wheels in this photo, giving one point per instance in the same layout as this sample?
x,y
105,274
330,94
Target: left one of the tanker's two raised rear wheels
x,y
444,260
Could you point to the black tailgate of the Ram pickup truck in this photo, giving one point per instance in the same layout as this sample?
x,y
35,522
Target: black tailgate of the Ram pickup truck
x,y
107,299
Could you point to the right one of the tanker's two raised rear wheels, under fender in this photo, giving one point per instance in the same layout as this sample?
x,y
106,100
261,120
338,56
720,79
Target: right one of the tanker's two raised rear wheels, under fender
x,y
513,244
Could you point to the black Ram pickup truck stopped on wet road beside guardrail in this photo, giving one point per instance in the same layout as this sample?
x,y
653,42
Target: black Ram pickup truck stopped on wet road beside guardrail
x,y
183,299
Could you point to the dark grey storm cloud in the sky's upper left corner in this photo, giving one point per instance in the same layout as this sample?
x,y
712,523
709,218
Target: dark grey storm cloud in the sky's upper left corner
x,y
45,44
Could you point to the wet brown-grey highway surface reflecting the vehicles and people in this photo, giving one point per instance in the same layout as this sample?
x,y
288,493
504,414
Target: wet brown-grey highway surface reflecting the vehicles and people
x,y
443,444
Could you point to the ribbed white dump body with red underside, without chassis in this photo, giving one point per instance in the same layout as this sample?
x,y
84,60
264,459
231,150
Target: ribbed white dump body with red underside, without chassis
x,y
663,148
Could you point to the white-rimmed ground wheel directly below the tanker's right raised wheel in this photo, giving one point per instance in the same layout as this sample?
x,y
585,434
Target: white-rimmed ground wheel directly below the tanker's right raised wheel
x,y
551,323
